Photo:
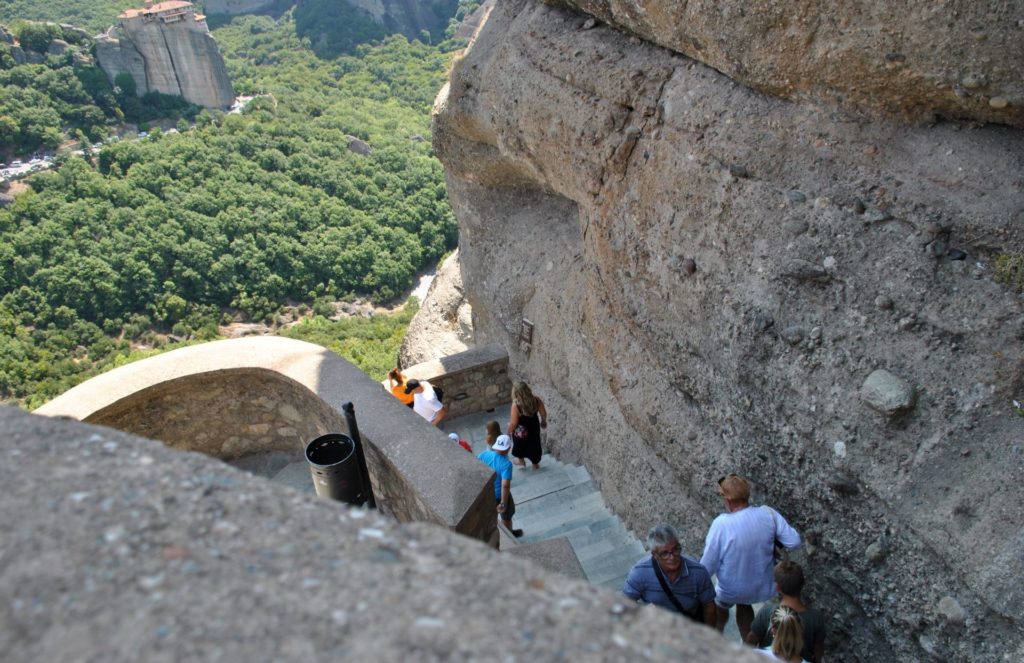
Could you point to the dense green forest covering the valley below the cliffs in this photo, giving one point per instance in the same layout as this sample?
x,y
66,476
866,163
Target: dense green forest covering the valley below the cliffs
x,y
323,189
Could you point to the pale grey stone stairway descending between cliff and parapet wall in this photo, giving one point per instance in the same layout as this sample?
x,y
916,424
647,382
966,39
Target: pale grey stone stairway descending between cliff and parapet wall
x,y
561,500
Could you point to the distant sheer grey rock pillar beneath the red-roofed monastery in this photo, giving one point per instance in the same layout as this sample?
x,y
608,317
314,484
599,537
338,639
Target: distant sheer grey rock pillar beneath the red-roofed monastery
x,y
180,59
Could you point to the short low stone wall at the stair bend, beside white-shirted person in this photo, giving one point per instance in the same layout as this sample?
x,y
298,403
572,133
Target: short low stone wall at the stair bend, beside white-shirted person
x,y
474,382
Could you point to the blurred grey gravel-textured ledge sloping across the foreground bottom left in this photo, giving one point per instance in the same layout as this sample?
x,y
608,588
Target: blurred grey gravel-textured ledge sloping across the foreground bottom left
x,y
118,549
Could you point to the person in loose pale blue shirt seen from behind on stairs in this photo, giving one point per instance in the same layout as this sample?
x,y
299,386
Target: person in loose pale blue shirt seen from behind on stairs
x,y
740,550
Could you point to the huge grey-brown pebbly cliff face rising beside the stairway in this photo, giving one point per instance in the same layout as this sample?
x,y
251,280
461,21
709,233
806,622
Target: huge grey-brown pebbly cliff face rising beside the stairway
x,y
717,276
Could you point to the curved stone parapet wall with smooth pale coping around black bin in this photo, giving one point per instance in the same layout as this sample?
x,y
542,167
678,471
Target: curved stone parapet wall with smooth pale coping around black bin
x,y
235,398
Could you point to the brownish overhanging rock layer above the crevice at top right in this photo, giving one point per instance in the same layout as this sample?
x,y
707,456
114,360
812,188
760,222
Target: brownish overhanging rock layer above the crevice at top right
x,y
916,59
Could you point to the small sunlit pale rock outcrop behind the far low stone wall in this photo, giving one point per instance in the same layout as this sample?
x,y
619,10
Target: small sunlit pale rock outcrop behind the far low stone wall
x,y
444,325
